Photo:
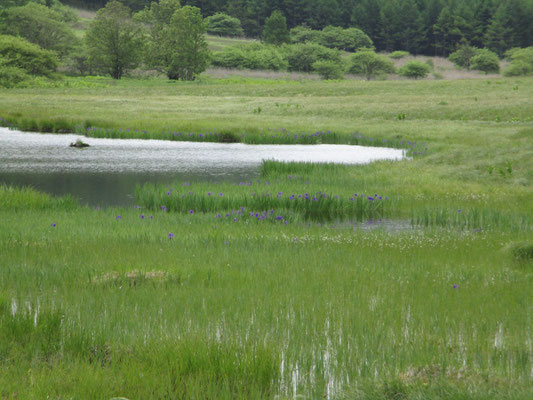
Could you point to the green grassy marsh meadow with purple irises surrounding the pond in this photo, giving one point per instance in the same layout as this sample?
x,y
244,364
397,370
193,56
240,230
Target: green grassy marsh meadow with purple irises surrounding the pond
x,y
393,280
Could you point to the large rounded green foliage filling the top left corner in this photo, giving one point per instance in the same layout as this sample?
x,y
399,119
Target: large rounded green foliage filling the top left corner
x,y
40,25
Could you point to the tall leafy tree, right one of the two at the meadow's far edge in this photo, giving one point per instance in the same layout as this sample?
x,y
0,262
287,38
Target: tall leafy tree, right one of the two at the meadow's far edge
x,y
191,55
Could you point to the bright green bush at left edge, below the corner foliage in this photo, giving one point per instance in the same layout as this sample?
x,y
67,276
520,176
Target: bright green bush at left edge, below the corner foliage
x,y
19,53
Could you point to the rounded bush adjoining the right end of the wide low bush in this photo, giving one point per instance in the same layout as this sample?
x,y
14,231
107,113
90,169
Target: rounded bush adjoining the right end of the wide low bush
x,y
302,56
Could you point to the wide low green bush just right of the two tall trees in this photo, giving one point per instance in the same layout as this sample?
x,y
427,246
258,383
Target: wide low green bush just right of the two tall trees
x,y
253,56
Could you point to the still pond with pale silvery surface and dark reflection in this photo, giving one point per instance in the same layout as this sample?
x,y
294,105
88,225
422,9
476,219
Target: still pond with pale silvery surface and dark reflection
x,y
107,172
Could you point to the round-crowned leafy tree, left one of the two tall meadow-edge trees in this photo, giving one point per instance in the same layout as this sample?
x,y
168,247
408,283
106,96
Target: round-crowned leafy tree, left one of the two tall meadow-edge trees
x,y
114,40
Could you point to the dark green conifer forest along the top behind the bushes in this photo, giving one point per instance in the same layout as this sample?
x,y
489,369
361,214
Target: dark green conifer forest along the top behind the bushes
x,y
431,27
